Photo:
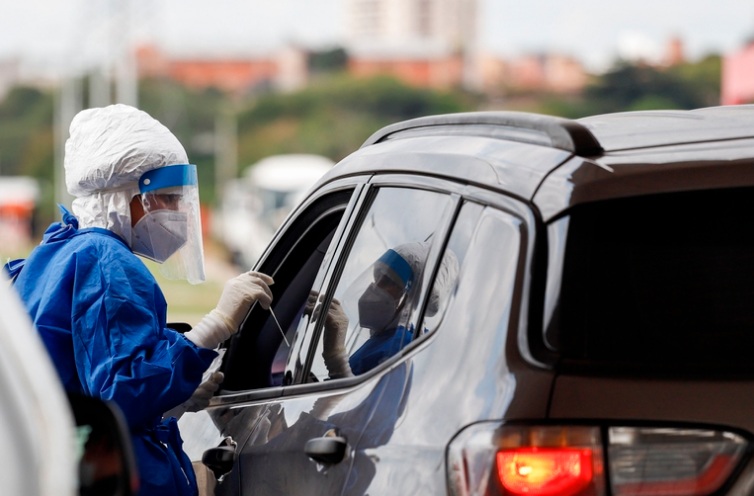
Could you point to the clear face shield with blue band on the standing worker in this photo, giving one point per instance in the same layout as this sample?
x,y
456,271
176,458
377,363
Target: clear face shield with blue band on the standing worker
x,y
170,232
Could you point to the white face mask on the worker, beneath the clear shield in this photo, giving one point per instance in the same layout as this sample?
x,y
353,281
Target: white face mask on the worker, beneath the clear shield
x,y
159,234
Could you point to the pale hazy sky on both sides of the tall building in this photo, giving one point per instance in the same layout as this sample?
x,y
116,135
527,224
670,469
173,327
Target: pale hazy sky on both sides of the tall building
x,y
53,33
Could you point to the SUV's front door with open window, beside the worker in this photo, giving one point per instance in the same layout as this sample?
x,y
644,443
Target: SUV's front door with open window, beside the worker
x,y
254,359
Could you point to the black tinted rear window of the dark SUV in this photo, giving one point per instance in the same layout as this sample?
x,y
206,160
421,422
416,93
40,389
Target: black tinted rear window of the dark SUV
x,y
659,283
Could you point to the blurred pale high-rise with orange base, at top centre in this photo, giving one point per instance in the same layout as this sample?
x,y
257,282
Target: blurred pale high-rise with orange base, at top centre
x,y
424,42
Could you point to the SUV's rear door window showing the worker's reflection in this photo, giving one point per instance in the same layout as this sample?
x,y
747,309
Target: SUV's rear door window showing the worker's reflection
x,y
374,309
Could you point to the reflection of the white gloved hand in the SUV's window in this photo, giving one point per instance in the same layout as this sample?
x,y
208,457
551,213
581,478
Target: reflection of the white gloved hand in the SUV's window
x,y
334,339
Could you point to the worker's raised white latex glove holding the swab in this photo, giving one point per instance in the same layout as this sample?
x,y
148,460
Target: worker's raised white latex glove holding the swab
x,y
236,300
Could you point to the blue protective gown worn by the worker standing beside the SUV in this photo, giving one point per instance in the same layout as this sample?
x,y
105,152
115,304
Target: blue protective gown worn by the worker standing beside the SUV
x,y
102,317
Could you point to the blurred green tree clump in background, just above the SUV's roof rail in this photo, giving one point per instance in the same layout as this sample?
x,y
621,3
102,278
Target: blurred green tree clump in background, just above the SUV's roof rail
x,y
334,116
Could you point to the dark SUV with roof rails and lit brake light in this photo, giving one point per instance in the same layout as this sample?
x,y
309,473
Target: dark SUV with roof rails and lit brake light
x,y
505,303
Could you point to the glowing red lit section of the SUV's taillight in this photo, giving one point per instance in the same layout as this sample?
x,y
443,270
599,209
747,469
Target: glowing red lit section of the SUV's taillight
x,y
545,471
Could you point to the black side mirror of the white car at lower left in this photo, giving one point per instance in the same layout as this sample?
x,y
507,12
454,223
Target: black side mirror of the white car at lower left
x,y
106,465
